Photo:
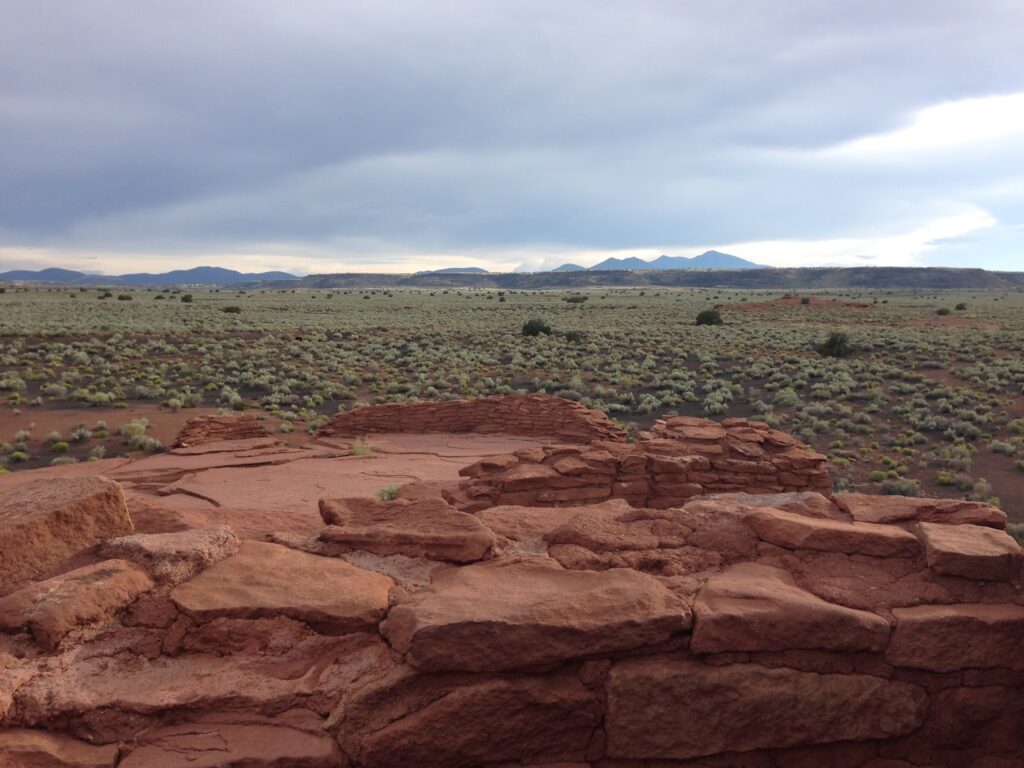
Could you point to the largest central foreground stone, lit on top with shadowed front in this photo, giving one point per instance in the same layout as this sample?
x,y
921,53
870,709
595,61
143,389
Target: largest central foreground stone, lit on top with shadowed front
x,y
505,616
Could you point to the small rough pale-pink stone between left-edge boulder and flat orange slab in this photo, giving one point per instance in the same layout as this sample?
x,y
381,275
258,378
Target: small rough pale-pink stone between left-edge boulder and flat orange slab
x,y
176,558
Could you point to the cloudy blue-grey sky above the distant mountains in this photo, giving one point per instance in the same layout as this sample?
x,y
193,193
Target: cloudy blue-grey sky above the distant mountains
x,y
328,136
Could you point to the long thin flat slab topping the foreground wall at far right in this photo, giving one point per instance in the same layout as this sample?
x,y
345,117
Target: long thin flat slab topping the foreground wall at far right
x,y
888,509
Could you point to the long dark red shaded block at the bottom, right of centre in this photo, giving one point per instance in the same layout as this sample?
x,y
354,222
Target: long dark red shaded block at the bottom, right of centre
x,y
677,709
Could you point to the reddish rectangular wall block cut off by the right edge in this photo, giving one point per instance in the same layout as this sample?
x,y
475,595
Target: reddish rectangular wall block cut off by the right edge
x,y
949,638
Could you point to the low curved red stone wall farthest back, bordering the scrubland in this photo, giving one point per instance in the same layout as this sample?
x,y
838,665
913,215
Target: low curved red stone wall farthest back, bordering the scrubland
x,y
521,415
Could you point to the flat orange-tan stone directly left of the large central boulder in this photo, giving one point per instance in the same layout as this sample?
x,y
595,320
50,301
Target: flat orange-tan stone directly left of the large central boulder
x,y
269,580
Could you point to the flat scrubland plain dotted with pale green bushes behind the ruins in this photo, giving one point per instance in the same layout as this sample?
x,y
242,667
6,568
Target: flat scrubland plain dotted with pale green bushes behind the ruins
x,y
930,402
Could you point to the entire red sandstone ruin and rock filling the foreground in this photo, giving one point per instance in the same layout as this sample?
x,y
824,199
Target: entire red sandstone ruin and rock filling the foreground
x,y
694,600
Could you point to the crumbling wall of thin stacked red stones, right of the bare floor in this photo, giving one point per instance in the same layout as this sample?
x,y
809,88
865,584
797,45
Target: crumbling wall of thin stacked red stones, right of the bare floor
x,y
680,458
